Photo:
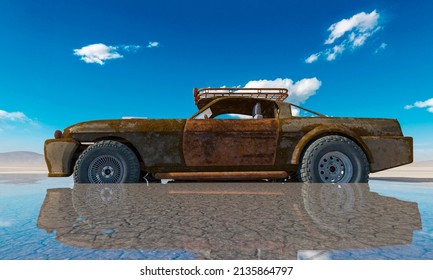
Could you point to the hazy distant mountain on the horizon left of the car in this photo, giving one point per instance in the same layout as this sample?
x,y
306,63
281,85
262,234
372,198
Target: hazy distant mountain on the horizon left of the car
x,y
21,159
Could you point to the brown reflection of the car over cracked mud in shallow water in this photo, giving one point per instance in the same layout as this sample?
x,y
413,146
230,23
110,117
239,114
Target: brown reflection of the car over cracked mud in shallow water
x,y
228,220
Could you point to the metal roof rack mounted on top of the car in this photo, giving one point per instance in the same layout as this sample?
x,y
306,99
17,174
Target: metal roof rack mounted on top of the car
x,y
276,94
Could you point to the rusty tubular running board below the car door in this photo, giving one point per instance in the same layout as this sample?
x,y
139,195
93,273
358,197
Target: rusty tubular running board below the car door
x,y
241,175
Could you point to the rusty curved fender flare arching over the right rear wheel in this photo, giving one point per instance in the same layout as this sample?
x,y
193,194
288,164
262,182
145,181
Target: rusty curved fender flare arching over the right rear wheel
x,y
322,131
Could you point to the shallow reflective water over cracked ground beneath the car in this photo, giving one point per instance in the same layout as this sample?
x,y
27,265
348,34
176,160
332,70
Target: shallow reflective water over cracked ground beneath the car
x,y
51,218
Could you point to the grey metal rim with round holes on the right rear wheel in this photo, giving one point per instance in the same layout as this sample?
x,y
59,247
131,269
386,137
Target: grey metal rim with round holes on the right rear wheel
x,y
335,167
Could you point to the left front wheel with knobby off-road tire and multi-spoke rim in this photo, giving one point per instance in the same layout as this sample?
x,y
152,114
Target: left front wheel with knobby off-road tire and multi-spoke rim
x,y
107,162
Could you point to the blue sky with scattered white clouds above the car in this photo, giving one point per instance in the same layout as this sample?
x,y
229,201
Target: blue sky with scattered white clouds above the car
x,y
69,61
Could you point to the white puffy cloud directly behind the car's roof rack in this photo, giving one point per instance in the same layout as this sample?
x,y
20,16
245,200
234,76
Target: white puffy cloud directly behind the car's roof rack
x,y
299,92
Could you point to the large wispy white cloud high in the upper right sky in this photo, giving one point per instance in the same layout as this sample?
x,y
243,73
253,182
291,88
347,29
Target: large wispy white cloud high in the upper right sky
x,y
350,33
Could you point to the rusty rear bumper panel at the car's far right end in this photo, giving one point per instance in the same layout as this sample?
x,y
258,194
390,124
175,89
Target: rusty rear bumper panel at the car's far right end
x,y
388,152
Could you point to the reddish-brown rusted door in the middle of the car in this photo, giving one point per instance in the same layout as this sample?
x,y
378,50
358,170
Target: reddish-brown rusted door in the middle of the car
x,y
230,142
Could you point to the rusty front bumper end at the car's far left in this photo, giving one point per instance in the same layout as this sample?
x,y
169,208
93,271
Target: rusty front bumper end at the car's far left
x,y
59,155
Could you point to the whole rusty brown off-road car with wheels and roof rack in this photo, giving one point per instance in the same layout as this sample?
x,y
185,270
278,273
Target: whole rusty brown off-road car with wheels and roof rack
x,y
268,141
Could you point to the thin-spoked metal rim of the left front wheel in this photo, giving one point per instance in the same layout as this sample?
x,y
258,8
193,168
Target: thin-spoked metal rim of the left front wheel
x,y
105,169
